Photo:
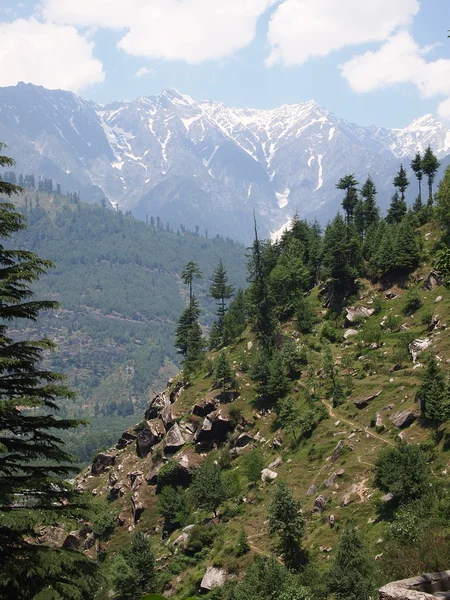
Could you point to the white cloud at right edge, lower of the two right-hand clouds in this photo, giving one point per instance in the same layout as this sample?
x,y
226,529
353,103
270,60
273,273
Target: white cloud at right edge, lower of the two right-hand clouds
x,y
400,60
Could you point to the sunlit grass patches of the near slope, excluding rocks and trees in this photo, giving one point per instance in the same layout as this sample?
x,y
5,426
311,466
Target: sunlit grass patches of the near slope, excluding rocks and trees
x,y
309,462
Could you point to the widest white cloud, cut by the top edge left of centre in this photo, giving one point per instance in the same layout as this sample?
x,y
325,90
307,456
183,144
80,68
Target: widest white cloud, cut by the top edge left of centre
x,y
193,31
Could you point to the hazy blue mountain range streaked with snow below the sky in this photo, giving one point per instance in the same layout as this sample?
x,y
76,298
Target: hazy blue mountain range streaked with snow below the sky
x,y
203,163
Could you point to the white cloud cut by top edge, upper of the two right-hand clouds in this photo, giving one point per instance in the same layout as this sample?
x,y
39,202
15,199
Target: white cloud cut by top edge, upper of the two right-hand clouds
x,y
304,29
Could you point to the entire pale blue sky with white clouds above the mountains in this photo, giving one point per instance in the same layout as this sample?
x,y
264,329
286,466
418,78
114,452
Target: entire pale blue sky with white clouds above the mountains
x,y
372,62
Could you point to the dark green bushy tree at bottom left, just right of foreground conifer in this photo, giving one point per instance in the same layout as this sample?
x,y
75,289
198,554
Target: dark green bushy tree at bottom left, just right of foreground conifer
x,y
133,569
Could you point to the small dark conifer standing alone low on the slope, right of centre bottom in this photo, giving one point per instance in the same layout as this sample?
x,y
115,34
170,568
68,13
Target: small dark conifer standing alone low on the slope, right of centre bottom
x,y
286,520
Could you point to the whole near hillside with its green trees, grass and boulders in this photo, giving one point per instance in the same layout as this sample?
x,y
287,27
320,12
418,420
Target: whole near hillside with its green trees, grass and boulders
x,y
306,455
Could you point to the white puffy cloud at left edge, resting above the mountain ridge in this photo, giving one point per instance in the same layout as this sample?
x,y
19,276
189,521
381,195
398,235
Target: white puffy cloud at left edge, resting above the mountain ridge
x,y
54,56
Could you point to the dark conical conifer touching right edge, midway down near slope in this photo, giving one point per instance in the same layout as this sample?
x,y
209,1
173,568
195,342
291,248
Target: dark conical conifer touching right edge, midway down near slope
x,y
434,395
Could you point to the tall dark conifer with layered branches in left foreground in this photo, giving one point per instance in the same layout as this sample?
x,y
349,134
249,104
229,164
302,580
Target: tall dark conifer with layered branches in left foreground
x,y
34,469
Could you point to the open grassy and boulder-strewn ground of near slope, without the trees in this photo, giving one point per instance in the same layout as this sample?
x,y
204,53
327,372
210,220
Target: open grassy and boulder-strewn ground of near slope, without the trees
x,y
329,466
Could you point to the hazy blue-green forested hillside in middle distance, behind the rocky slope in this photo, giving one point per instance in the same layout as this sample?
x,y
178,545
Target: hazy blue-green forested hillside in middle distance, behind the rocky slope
x,y
118,283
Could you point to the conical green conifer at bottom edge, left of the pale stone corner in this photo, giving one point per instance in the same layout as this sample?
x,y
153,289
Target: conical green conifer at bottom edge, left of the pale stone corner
x,y
351,576
